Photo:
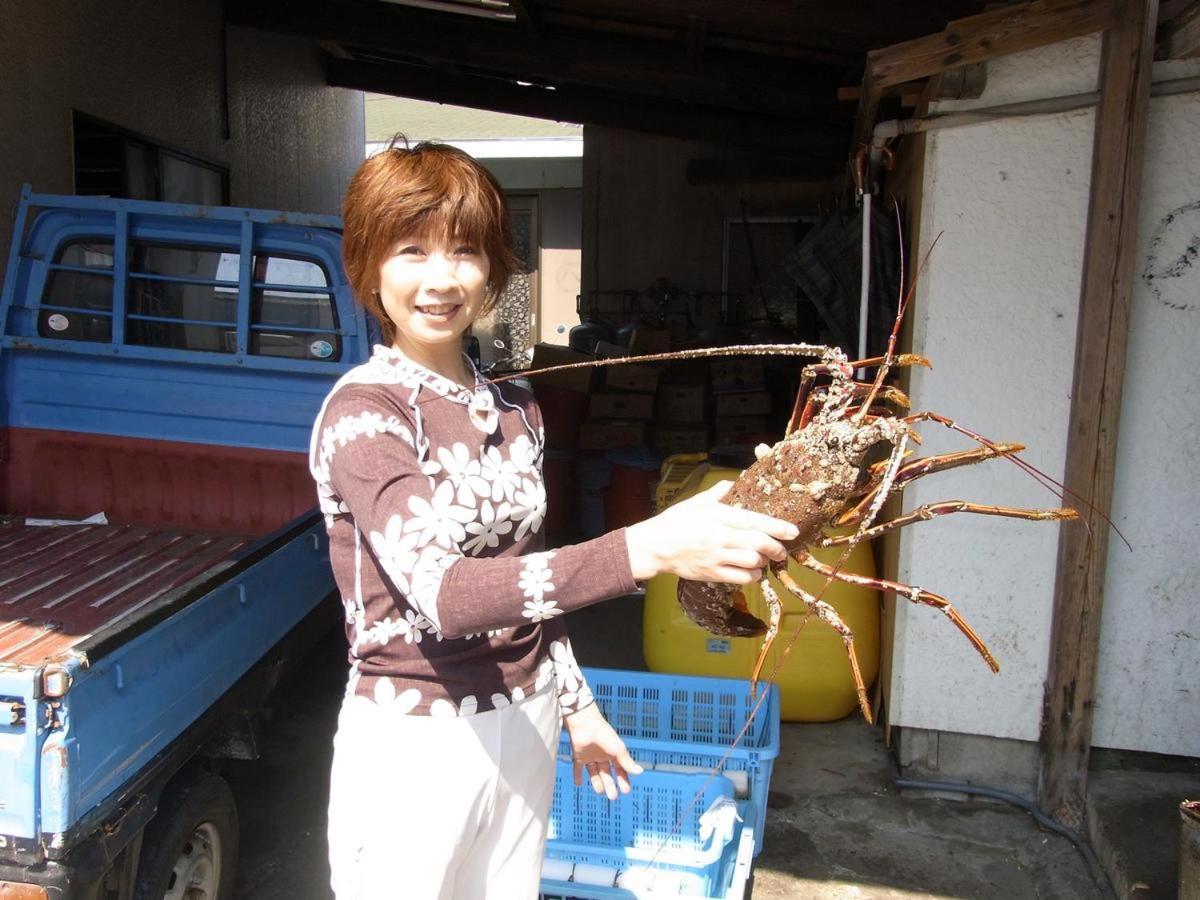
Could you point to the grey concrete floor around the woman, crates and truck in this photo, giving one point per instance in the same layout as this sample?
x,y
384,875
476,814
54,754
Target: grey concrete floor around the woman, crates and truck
x,y
836,827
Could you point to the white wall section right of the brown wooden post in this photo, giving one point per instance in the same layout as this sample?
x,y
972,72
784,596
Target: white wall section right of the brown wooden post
x,y
1149,694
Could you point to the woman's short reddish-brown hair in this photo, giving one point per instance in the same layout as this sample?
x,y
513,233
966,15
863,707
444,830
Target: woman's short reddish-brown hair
x,y
413,191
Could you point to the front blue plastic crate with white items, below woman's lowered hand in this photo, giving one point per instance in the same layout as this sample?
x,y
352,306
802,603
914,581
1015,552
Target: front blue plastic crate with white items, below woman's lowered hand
x,y
646,844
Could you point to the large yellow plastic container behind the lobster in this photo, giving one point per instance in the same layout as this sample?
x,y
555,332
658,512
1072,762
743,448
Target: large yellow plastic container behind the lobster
x,y
815,680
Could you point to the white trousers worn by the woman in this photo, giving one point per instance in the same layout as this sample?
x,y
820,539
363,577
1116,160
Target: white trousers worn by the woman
x,y
455,809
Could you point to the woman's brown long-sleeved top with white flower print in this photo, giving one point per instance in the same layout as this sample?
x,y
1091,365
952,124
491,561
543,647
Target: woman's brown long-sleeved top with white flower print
x,y
434,501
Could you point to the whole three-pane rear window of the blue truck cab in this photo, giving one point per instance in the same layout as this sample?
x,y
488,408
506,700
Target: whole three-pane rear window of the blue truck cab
x,y
188,299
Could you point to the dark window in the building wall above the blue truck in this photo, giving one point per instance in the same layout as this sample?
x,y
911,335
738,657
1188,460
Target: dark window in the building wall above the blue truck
x,y
113,163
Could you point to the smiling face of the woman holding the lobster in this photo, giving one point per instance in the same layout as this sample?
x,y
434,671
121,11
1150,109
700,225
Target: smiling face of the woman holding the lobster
x,y
433,289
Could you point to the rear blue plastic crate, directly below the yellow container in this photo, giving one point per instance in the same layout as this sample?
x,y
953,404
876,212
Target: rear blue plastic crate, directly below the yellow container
x,y
686,724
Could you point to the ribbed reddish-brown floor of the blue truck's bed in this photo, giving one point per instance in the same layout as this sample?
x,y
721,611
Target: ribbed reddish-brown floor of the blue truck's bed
x,y
62,584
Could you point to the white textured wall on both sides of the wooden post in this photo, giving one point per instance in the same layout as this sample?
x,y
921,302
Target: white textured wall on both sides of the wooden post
x,y
997,311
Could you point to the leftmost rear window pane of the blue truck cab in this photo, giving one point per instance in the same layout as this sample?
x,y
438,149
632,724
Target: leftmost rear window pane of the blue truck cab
x,y
79,301
